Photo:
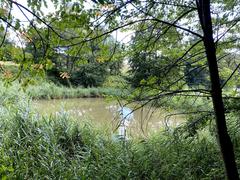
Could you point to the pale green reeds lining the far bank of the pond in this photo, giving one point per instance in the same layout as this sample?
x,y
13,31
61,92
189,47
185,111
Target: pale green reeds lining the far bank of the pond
x,y
41,88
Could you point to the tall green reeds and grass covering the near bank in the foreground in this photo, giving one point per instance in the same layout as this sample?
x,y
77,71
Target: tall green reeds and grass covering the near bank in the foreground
x,y
33,147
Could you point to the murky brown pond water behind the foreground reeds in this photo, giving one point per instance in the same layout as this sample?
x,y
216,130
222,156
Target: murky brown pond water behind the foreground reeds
x,y
107,114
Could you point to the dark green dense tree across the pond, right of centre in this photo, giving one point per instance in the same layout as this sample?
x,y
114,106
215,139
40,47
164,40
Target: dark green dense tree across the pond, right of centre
x,y
148,63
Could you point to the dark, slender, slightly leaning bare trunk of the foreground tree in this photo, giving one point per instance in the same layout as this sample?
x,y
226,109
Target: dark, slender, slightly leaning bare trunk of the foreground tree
x,y
225,143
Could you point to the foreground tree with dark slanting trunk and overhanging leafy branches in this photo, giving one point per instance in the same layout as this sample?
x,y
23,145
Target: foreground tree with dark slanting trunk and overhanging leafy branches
x,y
195,31
